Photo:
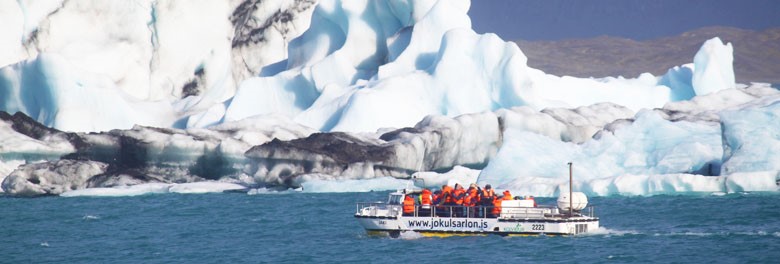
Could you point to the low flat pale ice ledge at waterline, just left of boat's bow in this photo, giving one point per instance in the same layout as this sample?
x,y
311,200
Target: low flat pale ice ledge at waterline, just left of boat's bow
x,y
367,185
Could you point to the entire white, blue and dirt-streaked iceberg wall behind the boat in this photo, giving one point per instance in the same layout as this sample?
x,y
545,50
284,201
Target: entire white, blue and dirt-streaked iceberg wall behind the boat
x,y
185,92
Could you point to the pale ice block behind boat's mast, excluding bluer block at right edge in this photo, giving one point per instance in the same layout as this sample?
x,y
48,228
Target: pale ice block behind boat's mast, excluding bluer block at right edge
x,y
650,145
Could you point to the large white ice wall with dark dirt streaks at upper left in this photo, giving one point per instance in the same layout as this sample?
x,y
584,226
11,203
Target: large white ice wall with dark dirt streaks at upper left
x,y
142,57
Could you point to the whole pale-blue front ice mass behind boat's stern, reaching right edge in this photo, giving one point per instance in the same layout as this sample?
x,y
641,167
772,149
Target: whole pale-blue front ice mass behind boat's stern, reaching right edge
x,y
695,152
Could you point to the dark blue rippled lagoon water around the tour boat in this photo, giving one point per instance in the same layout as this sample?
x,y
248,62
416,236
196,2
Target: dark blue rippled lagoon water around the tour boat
x,y
303,227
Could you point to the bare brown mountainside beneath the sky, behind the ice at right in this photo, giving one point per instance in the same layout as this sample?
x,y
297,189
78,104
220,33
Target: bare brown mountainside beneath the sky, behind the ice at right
x,y
756,54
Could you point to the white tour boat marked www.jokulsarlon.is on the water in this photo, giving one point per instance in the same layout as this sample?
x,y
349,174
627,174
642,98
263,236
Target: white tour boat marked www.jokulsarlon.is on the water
x,y
517,217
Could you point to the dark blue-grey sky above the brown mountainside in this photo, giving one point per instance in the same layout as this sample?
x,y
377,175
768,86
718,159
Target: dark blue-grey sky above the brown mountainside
x,y
635,19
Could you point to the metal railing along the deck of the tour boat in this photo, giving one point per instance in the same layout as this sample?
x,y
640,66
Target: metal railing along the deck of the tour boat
x,y
478,211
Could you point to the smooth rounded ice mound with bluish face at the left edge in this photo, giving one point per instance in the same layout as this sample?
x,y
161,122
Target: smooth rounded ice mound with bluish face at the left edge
x,y
48,89
